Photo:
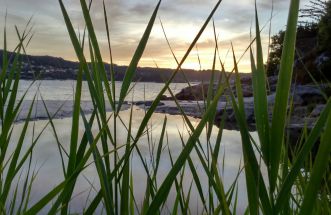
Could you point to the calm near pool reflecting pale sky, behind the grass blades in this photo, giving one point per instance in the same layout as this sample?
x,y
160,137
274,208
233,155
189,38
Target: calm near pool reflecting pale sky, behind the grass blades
x,y
46,157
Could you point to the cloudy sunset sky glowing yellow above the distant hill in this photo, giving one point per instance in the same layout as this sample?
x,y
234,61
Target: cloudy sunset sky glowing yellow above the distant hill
x,y
182,20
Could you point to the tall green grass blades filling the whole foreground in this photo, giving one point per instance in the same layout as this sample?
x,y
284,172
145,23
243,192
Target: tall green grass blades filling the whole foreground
x,y
278,192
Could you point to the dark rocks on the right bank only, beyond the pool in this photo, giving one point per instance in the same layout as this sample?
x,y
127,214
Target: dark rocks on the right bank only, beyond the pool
x,y
308,101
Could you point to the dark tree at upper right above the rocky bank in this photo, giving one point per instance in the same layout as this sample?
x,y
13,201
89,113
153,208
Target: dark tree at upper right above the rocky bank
x,y
313,45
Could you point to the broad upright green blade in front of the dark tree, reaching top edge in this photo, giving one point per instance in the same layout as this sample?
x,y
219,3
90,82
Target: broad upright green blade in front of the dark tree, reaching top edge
x,y
282,93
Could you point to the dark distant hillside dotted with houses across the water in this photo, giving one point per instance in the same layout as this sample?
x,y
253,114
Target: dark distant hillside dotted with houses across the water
x,y
54,68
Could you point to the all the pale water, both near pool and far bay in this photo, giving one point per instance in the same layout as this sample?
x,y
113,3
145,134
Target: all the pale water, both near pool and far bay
x,y
46,157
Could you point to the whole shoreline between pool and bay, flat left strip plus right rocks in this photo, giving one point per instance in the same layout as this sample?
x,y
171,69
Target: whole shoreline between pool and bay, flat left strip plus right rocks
x,y
308,103
